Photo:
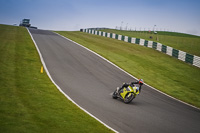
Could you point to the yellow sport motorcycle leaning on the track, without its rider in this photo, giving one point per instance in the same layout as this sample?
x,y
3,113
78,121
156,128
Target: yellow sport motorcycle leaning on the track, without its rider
x,y
127,94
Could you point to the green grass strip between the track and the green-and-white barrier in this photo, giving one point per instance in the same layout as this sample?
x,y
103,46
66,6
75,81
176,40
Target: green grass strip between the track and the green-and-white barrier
x,y
159,70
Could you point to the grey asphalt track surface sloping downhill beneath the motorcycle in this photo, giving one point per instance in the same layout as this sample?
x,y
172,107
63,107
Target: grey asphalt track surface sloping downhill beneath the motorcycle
x,y
89,80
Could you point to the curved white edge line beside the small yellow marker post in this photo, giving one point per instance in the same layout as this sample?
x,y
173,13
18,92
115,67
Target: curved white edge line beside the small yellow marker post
x,y
44,65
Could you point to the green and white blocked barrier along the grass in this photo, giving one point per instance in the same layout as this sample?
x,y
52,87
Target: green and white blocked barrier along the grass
x,y
181,55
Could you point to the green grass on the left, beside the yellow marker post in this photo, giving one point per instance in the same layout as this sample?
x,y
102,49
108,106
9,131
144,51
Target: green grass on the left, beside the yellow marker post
x,y
29,102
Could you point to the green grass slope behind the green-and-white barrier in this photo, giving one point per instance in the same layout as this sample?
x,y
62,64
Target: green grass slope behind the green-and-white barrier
x,y
180,41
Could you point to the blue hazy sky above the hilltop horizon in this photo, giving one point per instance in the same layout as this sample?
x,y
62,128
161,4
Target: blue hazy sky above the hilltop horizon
x,y
69,15
